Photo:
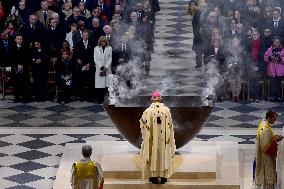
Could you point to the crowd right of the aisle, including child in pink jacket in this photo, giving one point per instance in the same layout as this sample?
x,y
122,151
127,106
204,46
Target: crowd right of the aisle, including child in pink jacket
x,y
244,38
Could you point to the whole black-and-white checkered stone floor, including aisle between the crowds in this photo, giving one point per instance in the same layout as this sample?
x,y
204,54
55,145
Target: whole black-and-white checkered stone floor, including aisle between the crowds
x,y
32,136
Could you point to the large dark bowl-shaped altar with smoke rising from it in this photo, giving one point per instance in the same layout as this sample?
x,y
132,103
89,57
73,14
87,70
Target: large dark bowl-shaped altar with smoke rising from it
x,y
188,116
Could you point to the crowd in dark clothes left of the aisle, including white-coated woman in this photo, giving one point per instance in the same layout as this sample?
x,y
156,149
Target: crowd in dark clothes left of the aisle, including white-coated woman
x,y
79,42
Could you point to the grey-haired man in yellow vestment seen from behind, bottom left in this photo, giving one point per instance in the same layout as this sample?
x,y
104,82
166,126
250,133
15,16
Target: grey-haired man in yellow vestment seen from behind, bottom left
x,y
87,174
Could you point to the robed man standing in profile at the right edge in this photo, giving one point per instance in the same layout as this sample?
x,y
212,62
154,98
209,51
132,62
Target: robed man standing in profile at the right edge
x,y
266,153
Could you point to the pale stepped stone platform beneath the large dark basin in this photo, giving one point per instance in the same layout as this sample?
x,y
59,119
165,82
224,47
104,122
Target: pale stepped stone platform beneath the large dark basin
x,y
197,165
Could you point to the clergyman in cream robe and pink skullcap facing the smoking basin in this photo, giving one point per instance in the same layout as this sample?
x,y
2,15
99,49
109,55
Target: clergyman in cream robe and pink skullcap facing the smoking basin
x,y
158,145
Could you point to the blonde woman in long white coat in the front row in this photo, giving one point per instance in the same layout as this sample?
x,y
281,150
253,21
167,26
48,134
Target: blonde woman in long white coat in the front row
x,y
103,61
